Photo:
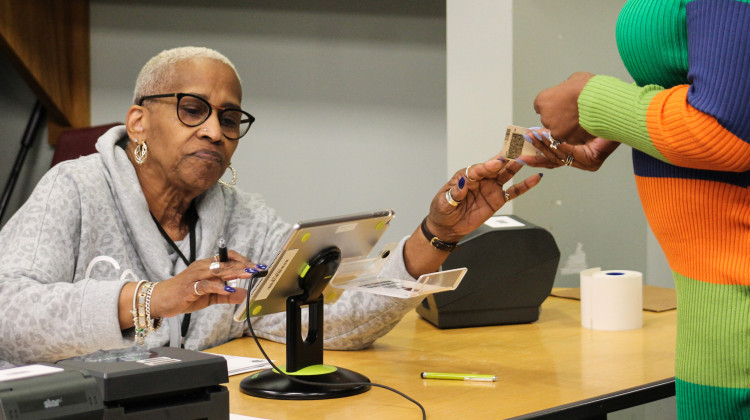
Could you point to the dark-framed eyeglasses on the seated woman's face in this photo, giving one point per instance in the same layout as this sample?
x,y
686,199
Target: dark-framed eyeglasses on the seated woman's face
x,y
193,111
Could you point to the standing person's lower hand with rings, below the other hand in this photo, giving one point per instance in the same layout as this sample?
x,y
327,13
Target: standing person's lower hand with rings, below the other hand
x,y
588,156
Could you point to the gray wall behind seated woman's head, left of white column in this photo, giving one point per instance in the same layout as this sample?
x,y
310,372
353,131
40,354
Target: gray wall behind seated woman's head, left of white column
x,y
350,103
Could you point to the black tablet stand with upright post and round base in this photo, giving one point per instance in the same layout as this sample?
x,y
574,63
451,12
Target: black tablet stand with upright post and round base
x,y
305,356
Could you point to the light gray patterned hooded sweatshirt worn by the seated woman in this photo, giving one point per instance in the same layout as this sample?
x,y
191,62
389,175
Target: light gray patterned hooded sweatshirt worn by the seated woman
x,y
86,230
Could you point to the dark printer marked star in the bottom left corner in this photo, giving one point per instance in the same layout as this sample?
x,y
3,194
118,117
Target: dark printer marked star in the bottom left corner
x,y
42,391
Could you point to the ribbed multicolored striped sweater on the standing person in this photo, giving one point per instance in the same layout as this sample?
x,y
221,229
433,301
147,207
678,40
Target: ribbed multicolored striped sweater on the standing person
x,y
687,118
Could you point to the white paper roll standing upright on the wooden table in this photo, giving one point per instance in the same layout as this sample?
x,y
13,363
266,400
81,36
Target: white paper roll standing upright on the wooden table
x,y
611,300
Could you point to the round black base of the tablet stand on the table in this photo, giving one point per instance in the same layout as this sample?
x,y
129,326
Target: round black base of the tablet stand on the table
x,y
270,384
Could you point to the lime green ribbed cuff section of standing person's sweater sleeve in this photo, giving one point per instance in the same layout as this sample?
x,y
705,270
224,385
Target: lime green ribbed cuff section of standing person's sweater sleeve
x,y
616,110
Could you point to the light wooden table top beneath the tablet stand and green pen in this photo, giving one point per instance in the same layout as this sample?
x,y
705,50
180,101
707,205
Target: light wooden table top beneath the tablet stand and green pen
x,y
552,368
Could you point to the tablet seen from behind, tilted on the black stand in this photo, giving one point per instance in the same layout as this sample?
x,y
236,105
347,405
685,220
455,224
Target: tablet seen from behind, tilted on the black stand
x,y
355,235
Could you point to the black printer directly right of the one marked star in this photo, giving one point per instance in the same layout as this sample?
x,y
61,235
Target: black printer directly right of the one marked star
x,y
159,383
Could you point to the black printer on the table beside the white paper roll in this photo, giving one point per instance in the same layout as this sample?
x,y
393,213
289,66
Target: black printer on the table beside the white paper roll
x,y
511,268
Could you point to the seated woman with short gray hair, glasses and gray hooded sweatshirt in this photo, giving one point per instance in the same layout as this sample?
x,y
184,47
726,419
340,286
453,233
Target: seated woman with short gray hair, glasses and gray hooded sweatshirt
x,y
151,201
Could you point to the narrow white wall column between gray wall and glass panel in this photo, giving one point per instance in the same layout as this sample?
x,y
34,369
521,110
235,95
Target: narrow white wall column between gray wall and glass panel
x,y
480,80
